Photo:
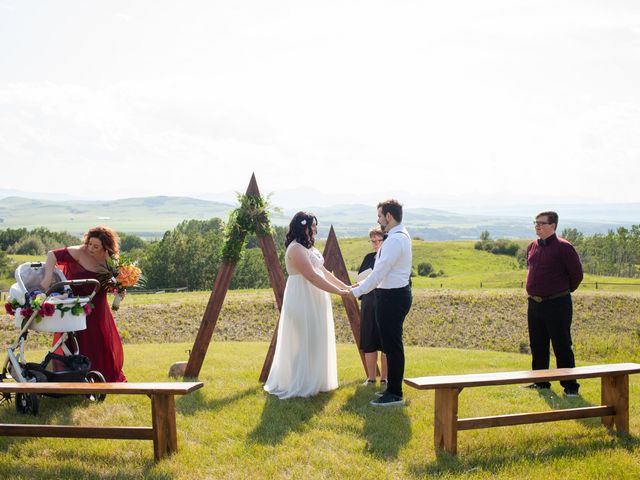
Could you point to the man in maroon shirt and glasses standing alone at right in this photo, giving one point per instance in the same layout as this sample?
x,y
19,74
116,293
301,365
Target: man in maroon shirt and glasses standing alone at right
x,y
554,271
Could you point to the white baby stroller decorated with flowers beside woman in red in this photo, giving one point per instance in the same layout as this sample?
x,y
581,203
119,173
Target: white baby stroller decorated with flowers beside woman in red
x,y
55,311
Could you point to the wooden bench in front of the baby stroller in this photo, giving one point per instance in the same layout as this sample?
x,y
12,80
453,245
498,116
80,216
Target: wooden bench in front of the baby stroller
x,y
163,412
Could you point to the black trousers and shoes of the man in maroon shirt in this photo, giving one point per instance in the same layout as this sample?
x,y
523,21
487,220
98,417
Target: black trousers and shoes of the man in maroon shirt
x,y
550,320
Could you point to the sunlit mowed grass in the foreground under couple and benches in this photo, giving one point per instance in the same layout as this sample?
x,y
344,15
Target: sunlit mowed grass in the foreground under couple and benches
x,y
232,429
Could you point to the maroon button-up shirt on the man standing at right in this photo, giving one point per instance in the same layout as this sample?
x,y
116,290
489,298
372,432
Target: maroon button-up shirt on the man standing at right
x,y
554,267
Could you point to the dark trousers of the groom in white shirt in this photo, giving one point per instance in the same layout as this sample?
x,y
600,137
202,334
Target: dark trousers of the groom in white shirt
x,y
392,306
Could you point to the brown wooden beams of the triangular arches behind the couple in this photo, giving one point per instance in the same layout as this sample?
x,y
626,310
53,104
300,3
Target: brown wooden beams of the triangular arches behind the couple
x,y
333,262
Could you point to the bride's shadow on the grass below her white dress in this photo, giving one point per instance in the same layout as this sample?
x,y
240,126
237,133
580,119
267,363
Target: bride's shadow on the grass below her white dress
x,y
282,417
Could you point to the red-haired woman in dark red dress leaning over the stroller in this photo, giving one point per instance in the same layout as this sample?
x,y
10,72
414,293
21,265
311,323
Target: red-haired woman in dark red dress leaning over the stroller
x,y
100,342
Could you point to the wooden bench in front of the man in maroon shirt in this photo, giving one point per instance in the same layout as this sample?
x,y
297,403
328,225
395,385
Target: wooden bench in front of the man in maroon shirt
x,y
614,409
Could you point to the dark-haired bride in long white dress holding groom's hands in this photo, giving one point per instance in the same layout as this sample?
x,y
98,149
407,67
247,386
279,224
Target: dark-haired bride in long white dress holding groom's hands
x,y
305,358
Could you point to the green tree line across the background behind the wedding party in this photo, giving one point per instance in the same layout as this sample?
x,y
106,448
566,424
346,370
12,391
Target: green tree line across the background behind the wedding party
x,y
190,254
